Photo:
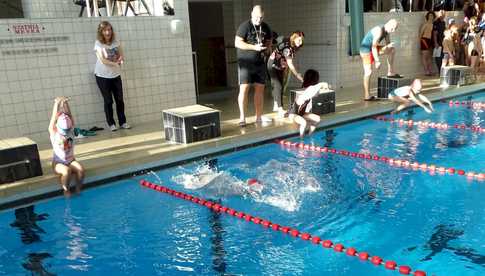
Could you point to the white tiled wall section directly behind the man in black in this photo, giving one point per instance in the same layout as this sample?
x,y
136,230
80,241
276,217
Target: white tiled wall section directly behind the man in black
x,y
316,19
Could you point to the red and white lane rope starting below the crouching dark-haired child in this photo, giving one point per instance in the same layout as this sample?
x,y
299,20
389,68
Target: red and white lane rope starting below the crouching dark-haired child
x,y
395,162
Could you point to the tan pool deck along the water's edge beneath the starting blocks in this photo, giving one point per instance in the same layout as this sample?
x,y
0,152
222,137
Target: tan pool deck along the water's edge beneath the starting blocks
x,y
109,155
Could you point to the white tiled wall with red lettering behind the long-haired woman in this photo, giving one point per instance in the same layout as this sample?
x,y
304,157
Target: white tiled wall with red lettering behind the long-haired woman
x,y
157,73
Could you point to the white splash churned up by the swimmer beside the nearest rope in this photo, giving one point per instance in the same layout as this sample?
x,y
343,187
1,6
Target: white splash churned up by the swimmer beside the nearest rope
x,y
283,185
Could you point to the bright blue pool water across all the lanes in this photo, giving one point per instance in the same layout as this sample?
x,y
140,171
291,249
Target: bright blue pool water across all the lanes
x,y
432,223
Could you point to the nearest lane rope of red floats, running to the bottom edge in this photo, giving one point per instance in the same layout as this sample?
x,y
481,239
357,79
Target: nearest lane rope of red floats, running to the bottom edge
x,y
315,240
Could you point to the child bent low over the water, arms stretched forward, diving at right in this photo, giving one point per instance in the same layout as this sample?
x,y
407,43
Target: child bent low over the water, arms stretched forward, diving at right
x,y
406,95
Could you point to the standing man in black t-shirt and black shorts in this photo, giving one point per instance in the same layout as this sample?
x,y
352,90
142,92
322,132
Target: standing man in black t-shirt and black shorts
x,y
253,38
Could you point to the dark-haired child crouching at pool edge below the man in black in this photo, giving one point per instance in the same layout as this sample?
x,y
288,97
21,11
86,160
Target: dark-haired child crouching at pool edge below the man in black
x,y
300,111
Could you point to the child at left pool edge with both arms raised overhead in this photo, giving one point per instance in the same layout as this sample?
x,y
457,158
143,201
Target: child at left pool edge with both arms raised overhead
x,y
61,133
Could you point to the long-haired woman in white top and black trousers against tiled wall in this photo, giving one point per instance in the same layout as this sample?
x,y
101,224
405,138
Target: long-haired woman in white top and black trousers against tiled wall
x,y
107,71
